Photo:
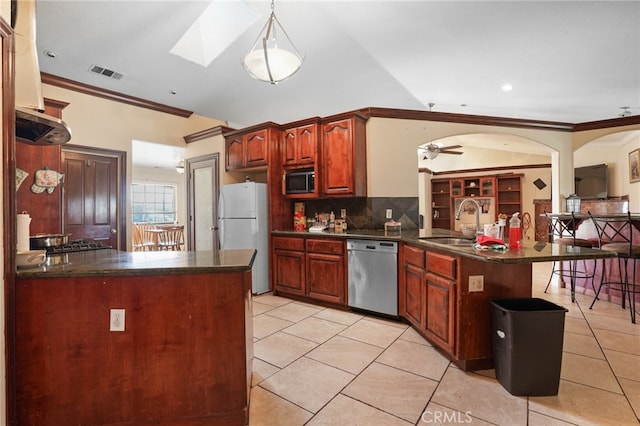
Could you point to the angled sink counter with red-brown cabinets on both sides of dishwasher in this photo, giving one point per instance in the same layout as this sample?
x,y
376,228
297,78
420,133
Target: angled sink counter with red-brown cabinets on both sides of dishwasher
x,y
444,288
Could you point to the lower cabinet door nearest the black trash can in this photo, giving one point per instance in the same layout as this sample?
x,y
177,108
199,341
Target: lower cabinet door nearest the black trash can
x,y
440,307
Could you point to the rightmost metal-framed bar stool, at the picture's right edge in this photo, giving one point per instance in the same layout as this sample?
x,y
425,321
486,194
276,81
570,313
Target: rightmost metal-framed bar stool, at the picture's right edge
x,y
615,234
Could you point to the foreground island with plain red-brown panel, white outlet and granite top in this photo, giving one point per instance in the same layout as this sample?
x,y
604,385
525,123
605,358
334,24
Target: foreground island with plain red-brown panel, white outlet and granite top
x,y
184,355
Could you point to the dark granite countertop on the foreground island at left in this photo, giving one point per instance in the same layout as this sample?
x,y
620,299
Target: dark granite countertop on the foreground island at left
x,y
114,262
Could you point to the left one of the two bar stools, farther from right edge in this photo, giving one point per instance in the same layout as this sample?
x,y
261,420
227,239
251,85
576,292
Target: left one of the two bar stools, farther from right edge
x,y
563,231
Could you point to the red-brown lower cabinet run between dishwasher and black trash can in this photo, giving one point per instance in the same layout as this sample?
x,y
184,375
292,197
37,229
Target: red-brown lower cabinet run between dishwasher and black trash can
x,y
434,297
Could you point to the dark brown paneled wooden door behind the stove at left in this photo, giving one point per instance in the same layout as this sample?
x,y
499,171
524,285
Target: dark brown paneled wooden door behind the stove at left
x,y
91,197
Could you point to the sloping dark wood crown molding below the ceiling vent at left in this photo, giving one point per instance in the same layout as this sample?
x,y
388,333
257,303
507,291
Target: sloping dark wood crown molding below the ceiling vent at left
x,y
111,95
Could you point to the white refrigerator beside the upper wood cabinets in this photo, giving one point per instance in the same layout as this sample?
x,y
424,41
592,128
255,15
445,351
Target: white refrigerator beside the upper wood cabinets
x,y
243,224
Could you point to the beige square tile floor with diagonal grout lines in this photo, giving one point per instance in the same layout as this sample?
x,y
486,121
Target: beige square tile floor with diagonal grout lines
x,y
318,366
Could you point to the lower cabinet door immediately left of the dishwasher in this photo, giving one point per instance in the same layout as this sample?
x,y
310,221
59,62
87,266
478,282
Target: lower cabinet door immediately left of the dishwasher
x,y
326,278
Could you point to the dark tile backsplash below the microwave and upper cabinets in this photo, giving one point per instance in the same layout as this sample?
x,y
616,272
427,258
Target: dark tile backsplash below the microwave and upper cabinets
x,y
368,213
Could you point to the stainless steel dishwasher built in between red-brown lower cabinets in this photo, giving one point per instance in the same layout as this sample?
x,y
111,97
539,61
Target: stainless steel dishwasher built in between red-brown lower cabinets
x,y
373,275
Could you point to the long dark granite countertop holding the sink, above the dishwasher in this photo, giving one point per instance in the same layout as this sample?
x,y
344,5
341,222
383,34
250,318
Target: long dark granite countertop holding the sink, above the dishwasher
x,y
531,251
